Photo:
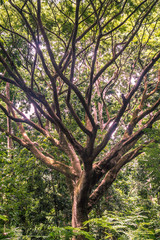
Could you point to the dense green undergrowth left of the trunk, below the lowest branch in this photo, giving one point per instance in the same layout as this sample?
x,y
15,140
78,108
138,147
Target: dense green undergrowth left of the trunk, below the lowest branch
x,y
32,196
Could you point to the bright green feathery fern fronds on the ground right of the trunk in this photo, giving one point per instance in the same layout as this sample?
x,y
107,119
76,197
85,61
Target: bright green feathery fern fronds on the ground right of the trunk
x,y
121,226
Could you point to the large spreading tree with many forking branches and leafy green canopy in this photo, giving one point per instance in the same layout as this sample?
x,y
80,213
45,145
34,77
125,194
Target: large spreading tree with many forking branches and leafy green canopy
x,y
89,69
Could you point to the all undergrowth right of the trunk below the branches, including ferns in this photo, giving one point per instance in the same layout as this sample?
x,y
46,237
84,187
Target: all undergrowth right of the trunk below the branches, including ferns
x,y
130,209
